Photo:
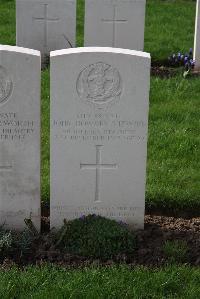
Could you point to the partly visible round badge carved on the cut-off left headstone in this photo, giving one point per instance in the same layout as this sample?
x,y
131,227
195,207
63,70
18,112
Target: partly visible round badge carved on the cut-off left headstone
x,y
6,85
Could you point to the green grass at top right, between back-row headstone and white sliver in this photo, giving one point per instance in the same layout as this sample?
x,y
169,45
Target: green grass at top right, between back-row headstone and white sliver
x,y
169,27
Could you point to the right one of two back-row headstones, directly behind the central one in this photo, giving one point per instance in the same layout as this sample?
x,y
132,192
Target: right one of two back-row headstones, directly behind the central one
x,y
118,23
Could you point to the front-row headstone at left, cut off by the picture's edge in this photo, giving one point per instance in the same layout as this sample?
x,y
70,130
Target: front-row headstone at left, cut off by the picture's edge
x,y
19,136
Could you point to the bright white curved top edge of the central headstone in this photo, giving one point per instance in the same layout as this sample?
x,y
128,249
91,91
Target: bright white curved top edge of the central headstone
x,y
100,50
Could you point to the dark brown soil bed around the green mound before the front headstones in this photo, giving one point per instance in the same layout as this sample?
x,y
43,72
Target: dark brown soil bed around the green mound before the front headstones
x,y
149,251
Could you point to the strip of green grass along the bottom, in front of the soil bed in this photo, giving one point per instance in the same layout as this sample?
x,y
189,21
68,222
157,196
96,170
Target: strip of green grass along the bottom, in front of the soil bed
x,y
114,282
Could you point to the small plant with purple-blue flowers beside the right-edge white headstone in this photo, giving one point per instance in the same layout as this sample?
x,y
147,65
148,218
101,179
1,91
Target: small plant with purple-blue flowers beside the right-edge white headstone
x,y
186,60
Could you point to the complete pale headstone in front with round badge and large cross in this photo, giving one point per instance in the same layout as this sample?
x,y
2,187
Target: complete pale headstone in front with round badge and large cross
x,y
99,121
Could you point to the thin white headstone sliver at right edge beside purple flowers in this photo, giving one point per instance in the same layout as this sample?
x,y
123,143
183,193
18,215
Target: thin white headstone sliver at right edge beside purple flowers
x,y
197,38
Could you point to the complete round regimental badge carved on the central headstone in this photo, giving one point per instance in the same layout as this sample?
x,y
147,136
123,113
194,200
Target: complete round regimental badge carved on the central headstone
x,y
99,84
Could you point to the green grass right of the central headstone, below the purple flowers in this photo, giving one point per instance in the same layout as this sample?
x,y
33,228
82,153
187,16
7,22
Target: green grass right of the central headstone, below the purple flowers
x,y
174,144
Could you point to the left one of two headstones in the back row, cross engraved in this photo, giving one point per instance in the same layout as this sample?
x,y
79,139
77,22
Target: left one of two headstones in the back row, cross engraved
x,y
46,25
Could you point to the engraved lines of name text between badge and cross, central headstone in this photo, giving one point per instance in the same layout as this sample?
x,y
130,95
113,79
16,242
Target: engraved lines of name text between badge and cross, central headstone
x,y
100,127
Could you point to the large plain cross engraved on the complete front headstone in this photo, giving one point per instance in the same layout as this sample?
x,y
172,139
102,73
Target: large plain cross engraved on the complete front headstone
x,y
98,166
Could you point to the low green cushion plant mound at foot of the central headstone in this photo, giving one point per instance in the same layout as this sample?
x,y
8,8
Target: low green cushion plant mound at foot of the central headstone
x,y
97,237
